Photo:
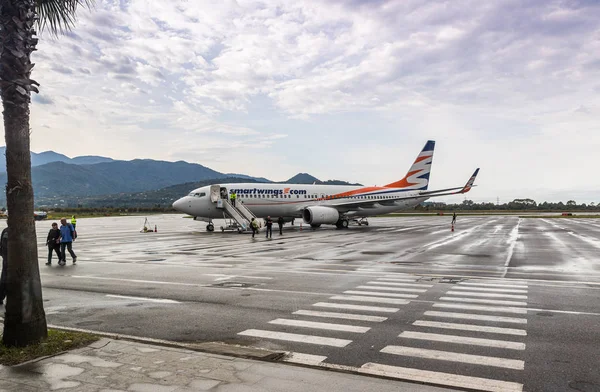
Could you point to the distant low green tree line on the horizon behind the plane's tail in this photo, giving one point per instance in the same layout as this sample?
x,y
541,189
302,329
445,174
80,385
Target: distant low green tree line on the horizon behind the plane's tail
x,y
515,205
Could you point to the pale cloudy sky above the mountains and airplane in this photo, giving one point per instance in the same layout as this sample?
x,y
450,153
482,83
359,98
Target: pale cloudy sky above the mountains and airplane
x,y
349,90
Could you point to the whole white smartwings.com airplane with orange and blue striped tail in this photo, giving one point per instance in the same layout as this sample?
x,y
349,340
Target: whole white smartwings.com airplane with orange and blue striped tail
x,y
318,204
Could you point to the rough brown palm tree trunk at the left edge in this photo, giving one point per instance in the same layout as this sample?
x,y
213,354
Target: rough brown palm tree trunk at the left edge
x,y
25,319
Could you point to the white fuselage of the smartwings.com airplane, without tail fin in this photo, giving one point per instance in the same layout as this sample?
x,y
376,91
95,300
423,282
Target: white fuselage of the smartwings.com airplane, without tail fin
x,y
289,200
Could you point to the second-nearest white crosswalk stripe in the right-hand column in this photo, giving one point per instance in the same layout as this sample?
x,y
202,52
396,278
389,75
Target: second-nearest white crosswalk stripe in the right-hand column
x,y
455,357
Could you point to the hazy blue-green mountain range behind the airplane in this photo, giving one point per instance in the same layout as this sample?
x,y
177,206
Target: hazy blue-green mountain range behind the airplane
x,y
60,180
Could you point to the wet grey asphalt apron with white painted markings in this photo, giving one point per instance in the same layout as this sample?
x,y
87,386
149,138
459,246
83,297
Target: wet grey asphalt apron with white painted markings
x,y
501,303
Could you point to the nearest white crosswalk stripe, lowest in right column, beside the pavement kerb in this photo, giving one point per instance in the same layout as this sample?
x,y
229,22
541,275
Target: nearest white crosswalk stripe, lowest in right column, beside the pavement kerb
x,y
452,380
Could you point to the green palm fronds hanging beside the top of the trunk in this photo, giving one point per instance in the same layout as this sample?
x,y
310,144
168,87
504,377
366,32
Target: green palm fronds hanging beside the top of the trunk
x,y
58,16
